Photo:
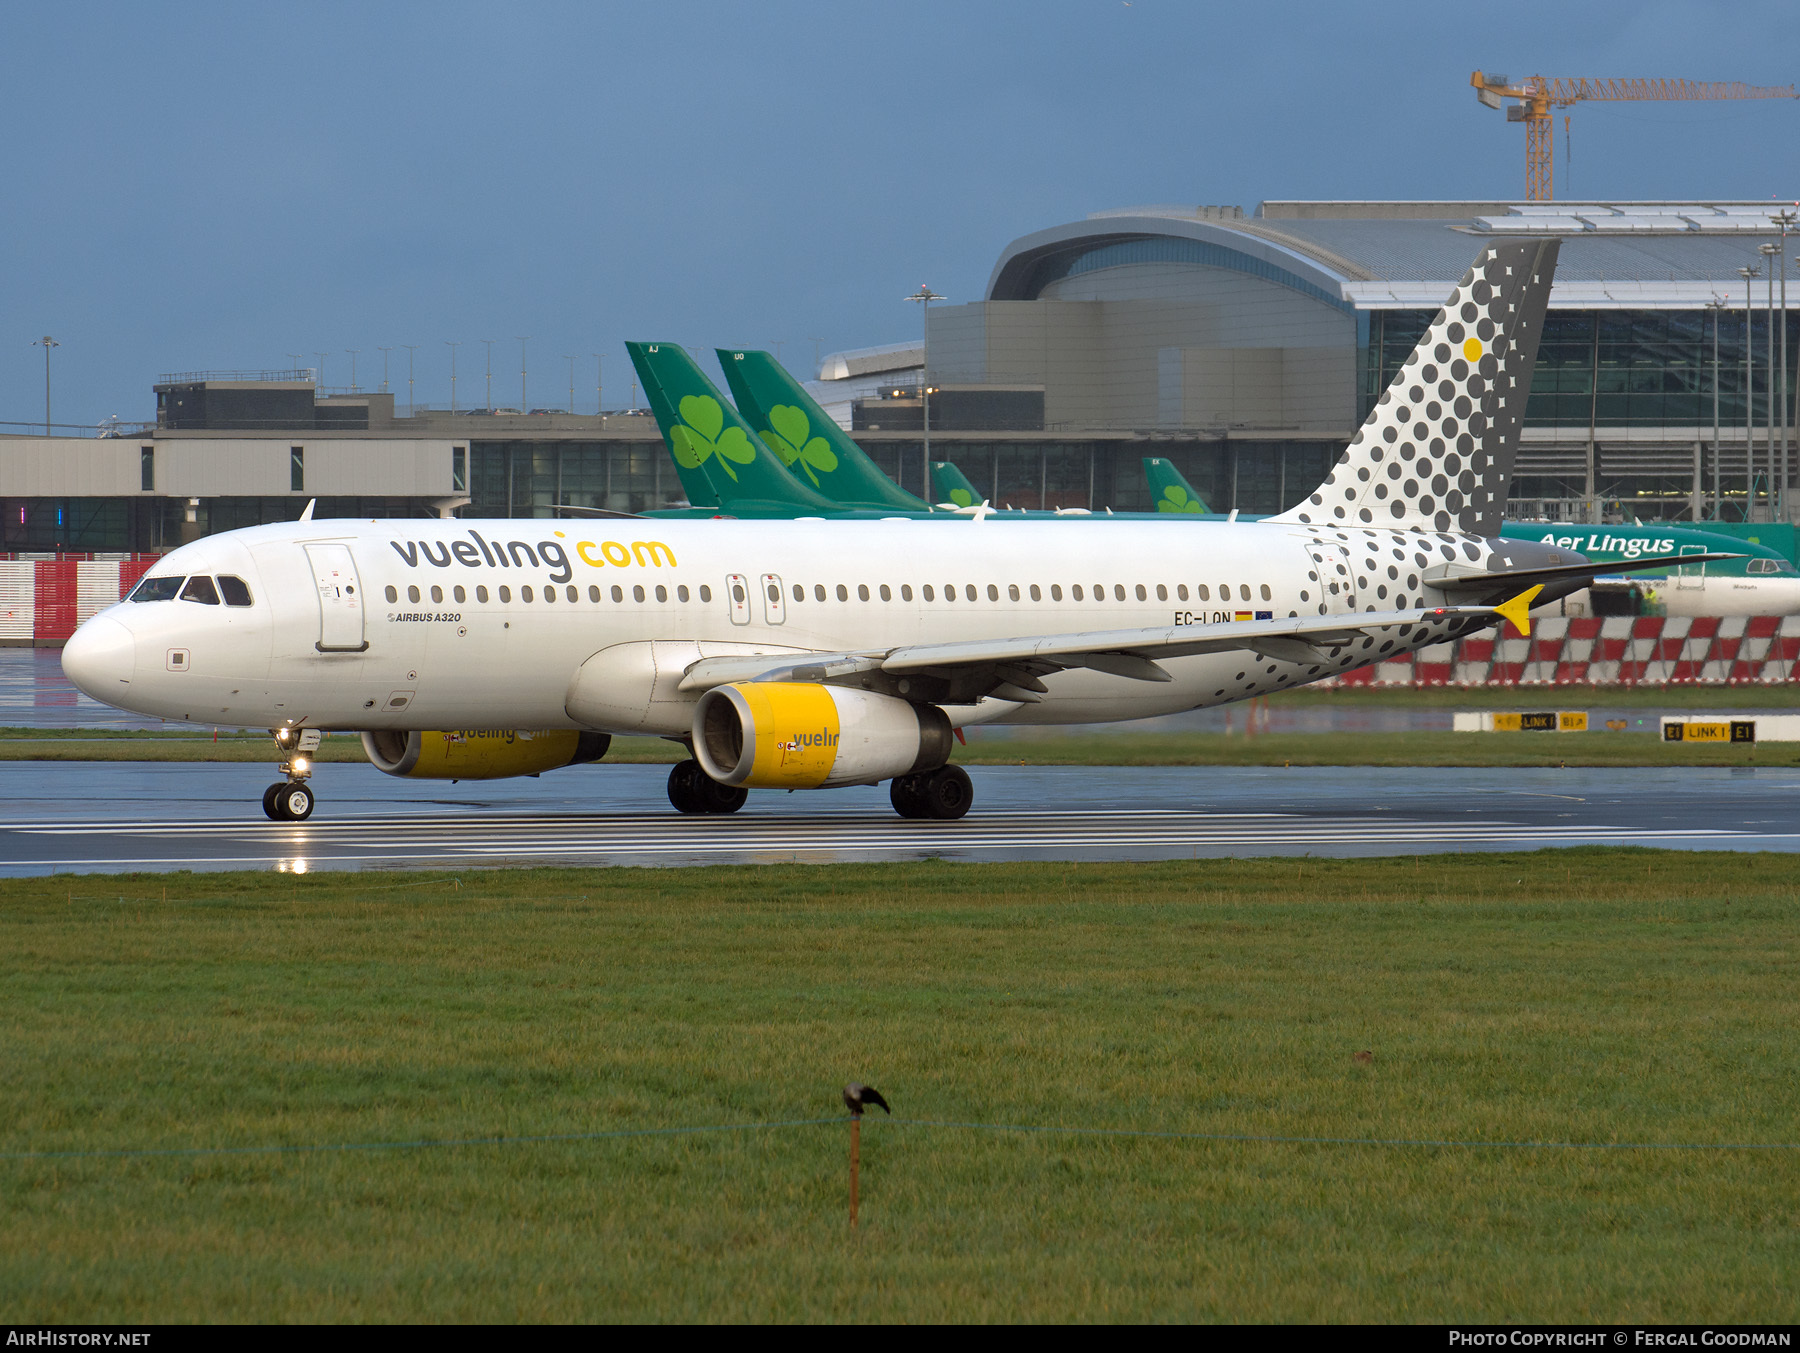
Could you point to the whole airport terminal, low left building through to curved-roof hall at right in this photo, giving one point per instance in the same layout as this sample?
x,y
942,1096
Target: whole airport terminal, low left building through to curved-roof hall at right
x,y
1246,348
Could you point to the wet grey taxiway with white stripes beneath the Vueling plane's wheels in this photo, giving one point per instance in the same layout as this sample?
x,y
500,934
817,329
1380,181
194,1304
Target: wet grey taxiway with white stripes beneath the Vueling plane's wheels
x,y
94,816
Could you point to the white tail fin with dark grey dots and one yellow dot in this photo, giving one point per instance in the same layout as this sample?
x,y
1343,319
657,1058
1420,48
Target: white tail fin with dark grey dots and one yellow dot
x,y
1437,451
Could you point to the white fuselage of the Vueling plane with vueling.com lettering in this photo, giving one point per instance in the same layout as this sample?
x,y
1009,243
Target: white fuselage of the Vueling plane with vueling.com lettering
x,y
447,623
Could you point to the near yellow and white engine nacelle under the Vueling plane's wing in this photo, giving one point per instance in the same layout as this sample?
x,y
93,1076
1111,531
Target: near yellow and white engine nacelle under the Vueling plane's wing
x,y
807,737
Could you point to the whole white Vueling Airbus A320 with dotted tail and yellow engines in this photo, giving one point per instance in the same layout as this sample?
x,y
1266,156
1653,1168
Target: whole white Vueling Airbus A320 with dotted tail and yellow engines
x,y
823,654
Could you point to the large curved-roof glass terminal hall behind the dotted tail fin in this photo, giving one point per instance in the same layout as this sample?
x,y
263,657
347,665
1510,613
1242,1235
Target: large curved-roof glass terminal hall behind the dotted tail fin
x,y
1250,346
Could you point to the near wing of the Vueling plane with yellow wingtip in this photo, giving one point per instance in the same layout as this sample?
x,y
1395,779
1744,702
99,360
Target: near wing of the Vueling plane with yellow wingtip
x,y
1011,668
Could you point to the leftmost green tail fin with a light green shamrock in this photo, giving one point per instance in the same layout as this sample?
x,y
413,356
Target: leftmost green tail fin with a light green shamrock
x,y
706,438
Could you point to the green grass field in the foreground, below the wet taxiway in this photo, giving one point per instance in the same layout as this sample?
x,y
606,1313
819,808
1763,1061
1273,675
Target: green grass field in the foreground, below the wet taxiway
x,y
1579,996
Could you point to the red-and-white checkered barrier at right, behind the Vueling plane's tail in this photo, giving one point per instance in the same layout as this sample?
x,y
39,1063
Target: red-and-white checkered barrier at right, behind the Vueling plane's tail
x,y
1615,650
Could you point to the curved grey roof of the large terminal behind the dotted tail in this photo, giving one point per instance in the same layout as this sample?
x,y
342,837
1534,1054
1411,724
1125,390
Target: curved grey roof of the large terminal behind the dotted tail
x,y
1403,255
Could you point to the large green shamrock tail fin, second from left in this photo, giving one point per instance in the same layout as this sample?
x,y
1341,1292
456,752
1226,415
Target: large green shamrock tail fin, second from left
x,y
805,438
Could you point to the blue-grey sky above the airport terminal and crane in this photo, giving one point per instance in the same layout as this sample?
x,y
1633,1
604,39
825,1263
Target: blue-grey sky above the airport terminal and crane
x,y
219,186
